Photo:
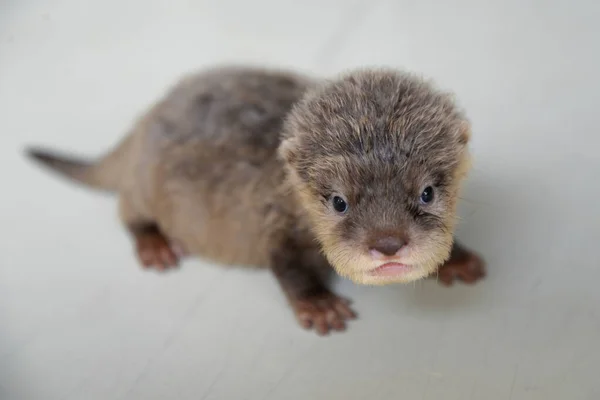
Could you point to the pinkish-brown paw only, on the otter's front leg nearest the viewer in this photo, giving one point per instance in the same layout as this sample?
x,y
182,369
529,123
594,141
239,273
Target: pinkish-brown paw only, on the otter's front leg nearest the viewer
x,y
323,311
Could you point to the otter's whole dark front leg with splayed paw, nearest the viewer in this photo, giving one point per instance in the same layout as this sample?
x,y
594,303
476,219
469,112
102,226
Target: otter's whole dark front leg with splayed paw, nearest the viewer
x,y
314,305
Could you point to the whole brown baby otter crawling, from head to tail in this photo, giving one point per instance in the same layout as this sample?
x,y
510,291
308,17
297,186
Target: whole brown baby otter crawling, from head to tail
x,y
258,167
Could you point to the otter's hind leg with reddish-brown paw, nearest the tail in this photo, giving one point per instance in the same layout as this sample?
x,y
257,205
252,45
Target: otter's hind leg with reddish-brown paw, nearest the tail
x,y
153,248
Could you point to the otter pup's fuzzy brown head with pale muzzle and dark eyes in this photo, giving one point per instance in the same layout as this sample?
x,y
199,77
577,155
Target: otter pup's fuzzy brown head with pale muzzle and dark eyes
x,y
377,159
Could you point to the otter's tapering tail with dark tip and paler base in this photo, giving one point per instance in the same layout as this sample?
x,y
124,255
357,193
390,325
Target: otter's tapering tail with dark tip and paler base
x,y
104,174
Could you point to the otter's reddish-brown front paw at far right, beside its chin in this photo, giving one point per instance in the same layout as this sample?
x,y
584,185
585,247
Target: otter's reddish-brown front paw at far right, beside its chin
x,y
463,265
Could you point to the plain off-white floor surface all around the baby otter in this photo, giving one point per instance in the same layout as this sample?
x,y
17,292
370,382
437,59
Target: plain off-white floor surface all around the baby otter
x,y
79,320
